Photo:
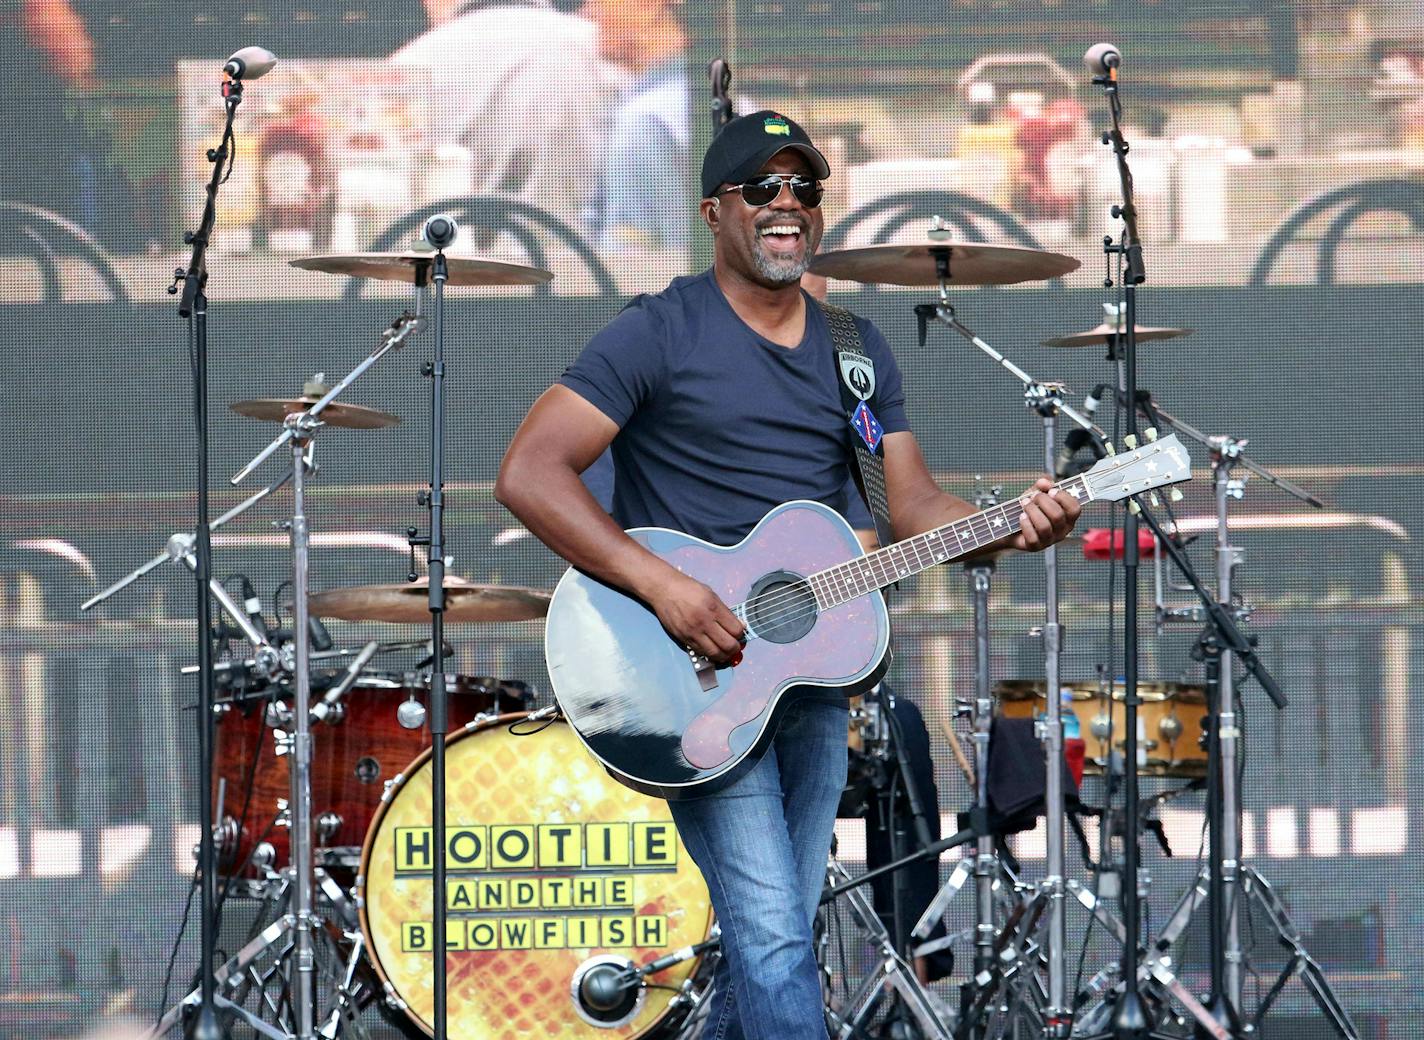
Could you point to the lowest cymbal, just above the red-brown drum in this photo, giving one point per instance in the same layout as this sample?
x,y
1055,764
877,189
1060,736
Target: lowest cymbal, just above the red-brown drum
x,y
409,603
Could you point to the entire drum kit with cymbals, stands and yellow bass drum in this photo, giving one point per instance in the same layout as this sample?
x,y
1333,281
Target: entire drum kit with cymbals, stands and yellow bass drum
x,y
559,881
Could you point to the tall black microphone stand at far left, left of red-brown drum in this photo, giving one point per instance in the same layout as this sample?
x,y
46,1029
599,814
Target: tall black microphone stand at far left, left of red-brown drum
x,y
193,307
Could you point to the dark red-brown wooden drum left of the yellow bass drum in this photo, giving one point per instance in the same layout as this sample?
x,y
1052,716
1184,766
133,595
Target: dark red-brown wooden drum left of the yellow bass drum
x,y
354,754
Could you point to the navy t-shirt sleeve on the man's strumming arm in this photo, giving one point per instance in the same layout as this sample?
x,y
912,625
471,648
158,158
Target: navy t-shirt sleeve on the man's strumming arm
x,y
623,365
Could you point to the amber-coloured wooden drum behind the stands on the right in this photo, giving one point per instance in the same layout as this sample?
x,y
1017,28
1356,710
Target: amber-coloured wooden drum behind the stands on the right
x,y
1170,723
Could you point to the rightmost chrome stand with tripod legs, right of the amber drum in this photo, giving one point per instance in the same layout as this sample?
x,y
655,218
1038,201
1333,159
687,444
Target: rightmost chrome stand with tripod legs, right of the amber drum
x,y
1225,880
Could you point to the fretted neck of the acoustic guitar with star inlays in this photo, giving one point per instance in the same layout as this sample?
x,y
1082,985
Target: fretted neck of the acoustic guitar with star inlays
x,y
905,559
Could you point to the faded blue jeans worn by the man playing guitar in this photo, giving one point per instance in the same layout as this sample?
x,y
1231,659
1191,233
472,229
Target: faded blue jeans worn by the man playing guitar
x,y
763,847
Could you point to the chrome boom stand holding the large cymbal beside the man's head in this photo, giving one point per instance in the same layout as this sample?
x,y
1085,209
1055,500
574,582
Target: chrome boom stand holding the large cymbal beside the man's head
x,y
1047,400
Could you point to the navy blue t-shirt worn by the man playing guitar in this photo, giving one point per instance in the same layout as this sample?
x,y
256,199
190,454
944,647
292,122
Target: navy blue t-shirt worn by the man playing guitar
x,y
717,424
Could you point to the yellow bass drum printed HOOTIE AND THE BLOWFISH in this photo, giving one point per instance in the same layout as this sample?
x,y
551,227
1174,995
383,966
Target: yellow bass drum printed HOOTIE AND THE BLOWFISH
x,y
552,868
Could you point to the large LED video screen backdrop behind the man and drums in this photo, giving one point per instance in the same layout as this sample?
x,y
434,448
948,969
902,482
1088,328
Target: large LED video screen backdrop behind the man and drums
x,y
1277,149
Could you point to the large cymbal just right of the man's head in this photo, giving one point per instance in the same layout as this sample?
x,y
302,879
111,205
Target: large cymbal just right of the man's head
x,y
970,264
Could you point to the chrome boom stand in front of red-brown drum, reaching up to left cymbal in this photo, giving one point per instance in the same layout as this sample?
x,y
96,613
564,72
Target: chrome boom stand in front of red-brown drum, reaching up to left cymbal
x,y
298,432
